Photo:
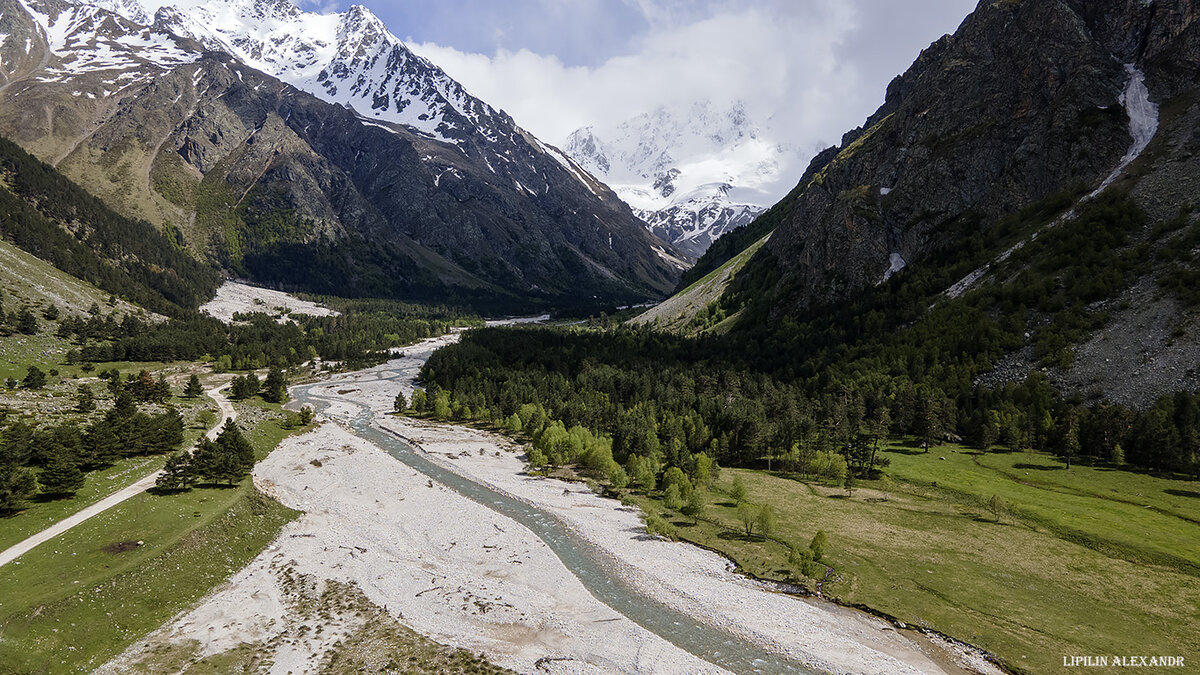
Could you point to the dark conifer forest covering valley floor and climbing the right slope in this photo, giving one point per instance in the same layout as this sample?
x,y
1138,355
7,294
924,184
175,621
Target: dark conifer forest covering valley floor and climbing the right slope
x,y
899,361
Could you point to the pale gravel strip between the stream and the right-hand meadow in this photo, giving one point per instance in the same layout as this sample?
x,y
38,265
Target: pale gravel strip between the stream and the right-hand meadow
x,y
826,637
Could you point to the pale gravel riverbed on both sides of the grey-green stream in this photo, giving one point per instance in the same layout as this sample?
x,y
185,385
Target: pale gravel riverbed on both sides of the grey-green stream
x,y
464,575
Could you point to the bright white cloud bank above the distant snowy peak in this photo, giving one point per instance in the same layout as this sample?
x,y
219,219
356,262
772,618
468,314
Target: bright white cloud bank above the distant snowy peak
x,y
794,63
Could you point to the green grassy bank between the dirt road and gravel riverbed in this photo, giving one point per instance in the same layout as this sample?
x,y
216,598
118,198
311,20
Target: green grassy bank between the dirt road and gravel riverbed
x,y
74,604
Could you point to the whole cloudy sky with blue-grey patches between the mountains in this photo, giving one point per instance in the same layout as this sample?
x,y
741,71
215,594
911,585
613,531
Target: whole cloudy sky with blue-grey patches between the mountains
x,y
807,70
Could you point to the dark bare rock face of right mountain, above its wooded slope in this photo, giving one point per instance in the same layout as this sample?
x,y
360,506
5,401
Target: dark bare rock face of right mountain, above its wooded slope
x,y
974,129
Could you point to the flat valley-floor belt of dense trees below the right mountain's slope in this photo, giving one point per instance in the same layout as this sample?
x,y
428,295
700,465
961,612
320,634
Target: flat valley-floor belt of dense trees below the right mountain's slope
x,y
651,401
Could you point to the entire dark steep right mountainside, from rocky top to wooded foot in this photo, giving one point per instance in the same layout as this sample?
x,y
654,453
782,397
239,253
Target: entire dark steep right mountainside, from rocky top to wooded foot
x,y
1024,201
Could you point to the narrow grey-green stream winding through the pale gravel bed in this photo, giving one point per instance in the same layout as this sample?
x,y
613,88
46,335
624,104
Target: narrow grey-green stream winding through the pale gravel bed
x,y
590,565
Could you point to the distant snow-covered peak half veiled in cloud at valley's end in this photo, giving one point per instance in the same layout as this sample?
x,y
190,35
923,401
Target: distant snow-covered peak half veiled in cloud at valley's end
x,y
692,175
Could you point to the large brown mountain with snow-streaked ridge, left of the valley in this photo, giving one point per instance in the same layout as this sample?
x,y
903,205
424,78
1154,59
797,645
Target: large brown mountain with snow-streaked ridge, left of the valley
x,y
314,152
